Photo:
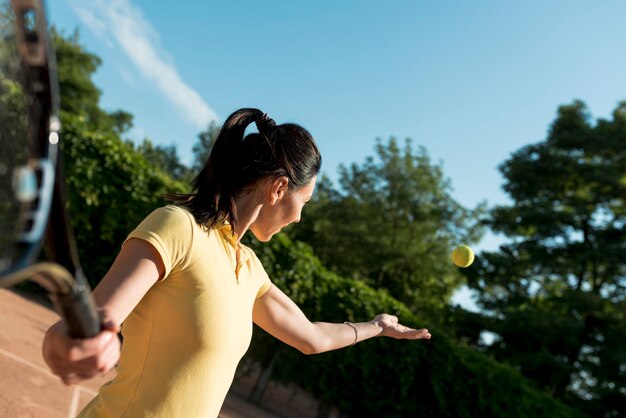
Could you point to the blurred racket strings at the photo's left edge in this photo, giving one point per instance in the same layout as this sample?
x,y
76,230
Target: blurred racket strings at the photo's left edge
x,y
21,177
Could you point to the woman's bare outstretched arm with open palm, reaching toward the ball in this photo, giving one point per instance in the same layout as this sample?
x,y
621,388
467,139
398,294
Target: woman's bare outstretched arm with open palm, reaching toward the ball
x,y
277,314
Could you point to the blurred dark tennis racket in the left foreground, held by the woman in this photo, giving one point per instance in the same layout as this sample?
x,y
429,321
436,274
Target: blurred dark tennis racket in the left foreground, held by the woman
x,y
32,186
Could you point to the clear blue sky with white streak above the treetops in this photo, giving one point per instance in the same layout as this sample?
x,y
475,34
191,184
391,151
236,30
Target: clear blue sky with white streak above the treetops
x,y
470,81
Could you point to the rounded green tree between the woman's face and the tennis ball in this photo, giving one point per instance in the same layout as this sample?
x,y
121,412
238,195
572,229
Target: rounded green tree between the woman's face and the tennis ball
x,y
392,223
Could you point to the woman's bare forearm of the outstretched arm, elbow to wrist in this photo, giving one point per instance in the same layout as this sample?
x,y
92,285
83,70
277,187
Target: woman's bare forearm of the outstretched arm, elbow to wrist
x,y
332,336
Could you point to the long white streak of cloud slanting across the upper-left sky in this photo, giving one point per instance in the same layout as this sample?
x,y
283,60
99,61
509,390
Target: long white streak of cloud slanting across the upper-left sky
x,y
124,22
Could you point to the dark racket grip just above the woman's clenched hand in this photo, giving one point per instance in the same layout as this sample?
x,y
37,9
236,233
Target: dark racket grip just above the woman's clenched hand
x,y
79,312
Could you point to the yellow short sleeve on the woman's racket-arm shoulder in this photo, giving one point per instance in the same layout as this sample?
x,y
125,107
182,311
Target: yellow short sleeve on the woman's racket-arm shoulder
x,y
170,231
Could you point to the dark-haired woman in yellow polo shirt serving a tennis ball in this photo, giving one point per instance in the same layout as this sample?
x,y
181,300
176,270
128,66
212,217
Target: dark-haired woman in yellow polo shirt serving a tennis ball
x,y
187,291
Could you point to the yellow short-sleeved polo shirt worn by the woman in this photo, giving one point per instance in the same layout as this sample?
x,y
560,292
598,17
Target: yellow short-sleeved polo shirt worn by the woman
x,y
183,341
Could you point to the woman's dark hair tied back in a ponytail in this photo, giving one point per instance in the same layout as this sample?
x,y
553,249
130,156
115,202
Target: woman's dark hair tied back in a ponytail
x,y
237,162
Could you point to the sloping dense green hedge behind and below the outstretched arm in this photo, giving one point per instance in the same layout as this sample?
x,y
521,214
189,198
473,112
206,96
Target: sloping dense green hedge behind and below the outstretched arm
x,y
384,377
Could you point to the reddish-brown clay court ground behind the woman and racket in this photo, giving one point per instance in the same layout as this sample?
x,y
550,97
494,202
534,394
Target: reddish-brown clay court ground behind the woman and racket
x,y
29,390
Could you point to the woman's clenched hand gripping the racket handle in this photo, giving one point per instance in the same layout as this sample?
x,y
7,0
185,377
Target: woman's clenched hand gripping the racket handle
x,y
75,360
